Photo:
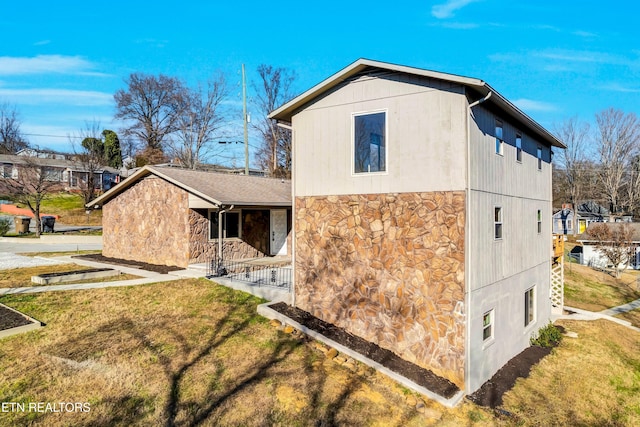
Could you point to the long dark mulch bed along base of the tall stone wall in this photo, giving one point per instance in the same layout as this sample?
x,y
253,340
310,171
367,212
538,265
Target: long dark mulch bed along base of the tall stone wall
x,y
386,358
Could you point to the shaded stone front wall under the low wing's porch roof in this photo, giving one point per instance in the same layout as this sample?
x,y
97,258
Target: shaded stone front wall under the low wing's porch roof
x,y
201,249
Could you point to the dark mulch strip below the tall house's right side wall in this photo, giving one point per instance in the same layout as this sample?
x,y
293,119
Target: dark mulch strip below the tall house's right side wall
x,y
491,392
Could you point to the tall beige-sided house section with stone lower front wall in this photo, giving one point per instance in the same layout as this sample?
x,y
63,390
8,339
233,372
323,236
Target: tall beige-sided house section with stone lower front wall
x,y
422,220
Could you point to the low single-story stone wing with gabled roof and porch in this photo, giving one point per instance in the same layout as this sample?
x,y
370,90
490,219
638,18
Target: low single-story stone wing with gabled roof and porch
x,y
170,216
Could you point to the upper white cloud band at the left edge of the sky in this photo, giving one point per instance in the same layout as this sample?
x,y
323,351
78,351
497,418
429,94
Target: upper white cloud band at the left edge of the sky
x,y
46,64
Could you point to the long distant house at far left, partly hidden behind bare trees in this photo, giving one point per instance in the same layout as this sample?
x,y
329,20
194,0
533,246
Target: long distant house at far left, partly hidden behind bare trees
x,y
72,175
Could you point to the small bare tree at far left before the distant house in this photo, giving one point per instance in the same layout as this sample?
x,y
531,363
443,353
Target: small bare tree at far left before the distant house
x,y
33,184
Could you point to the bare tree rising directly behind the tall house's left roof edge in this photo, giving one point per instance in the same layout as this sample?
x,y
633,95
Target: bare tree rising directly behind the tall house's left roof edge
x,y
273,90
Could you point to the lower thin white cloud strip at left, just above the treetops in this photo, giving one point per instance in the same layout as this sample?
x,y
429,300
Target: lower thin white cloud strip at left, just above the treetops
x,y
57,96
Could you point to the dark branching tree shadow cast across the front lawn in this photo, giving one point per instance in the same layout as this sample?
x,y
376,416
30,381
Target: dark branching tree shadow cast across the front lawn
x,y
188,358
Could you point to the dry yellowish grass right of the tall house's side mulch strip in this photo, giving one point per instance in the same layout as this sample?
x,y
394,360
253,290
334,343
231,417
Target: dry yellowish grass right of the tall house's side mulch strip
x,y
591,380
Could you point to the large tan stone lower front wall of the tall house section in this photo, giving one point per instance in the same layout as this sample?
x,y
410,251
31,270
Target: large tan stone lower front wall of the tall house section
x,y
390,269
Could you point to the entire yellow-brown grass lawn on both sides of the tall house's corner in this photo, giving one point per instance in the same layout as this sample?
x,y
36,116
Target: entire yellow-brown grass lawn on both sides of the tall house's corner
x,y
190,352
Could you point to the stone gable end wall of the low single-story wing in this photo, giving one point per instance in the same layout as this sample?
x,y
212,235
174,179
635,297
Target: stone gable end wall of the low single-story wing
x,y
148,222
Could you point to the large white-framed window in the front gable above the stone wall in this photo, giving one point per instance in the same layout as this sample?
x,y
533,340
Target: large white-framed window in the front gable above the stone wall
x,y
370,146
